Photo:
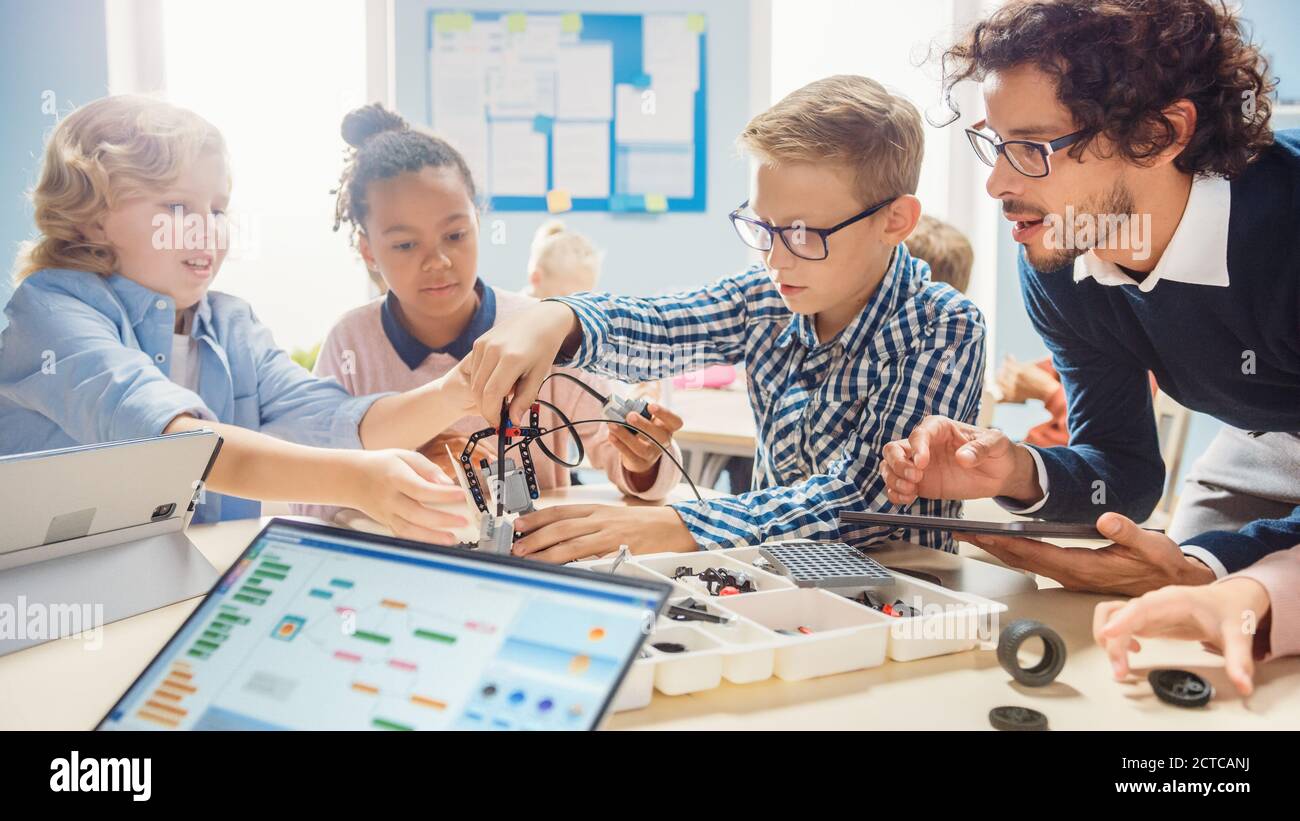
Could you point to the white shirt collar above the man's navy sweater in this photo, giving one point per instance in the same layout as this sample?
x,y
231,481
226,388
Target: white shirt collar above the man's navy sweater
x,y
1197,254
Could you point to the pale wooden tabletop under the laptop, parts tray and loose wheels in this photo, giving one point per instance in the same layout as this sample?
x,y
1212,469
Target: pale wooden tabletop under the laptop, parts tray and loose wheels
x,y
68,685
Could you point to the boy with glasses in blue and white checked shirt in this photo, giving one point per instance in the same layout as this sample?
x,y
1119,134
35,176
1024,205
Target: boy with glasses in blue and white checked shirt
x,y
846,341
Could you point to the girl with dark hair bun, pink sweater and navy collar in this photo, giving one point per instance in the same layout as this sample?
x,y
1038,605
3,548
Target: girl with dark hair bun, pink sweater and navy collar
x,y
409,199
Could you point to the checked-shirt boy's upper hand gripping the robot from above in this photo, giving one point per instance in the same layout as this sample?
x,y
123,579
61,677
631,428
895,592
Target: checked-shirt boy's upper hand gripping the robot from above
x,y
514,358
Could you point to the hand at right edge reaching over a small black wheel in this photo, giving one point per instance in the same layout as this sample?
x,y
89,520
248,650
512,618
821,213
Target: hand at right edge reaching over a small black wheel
x,y
1224,616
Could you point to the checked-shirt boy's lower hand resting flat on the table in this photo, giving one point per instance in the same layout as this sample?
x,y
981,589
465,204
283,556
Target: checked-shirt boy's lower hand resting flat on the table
x,y
574,532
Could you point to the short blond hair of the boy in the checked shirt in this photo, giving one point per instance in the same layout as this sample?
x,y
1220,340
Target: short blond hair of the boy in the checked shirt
x,y
846,120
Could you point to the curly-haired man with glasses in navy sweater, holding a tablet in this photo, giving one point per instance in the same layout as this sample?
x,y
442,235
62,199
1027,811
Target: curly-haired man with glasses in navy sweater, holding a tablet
x,y
1159,219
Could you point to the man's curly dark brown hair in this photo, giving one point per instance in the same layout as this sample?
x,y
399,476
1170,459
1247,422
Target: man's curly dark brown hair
x,y
1120,63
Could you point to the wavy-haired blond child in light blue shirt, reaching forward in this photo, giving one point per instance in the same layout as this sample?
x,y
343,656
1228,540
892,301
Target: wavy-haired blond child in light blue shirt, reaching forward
x,y
114,335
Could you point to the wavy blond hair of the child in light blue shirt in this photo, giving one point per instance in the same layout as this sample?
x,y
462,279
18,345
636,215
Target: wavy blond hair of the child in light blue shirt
x,y
107,151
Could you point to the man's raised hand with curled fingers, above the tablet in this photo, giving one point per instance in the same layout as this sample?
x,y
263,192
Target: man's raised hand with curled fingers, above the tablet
x,y
944,459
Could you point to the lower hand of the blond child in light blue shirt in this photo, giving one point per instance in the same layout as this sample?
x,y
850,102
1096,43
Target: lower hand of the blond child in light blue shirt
x,y
395,488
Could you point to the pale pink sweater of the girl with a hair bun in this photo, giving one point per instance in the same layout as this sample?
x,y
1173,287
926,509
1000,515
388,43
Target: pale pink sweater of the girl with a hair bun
x,y
359,355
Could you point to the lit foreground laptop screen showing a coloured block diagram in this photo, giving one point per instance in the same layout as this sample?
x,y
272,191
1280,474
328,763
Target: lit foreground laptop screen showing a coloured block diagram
x,y
315,628
